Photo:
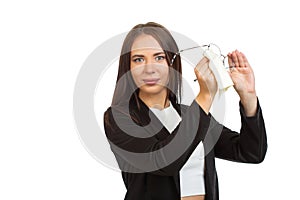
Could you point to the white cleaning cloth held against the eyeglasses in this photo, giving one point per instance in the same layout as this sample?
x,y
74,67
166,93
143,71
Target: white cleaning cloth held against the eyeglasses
x,y
216,65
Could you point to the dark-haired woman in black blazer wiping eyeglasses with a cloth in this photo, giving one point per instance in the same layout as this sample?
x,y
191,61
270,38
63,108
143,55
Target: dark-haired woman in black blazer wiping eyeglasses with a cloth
x,y
157,141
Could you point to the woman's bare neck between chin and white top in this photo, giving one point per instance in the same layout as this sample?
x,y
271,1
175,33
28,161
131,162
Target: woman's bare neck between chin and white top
x,y
158,101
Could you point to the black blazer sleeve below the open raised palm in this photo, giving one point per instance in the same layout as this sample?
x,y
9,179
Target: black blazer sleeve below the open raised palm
x,y
248,146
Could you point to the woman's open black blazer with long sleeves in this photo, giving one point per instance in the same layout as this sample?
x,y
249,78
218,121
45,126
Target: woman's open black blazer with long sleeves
x,y
145,182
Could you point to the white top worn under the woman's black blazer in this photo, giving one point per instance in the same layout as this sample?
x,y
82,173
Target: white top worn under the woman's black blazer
x,y
192,173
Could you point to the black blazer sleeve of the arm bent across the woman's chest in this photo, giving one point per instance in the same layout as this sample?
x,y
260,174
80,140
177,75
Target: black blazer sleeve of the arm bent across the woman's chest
x,y
159,154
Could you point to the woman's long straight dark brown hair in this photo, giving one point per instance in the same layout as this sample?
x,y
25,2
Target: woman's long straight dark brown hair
x,y
125,86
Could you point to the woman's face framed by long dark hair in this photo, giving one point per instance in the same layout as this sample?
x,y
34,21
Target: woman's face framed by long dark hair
x,y
149,66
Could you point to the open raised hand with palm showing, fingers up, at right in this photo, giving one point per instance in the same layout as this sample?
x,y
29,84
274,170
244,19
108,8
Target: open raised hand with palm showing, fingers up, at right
x,y
243,78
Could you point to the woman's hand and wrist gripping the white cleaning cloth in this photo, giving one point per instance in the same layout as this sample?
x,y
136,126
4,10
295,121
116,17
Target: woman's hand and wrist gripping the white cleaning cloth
x,y
208,84
